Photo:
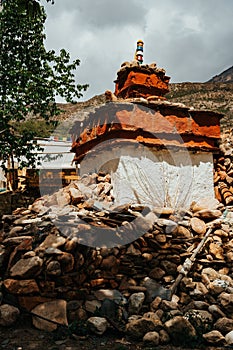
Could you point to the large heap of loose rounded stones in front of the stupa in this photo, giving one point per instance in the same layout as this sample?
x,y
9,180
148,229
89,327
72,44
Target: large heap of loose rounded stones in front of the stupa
x,y
63,259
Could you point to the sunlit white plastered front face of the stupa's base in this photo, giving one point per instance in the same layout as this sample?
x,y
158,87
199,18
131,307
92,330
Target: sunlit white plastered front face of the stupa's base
x,y
162,182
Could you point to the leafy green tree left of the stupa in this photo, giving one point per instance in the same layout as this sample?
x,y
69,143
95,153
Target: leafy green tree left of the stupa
x,y
31,77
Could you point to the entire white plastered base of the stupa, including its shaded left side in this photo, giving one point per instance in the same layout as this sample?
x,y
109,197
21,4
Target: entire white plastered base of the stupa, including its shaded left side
x,y
164,178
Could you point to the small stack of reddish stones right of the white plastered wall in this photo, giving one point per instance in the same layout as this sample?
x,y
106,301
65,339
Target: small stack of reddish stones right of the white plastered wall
x,y
223,177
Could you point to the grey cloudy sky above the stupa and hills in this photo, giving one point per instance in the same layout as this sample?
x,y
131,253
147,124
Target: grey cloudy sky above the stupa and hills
x,y
190,39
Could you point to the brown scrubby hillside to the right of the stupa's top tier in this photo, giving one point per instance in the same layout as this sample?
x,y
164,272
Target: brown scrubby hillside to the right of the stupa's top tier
x,y
214,96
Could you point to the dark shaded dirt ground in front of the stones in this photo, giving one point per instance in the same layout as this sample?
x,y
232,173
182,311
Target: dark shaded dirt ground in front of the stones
x,y
24,336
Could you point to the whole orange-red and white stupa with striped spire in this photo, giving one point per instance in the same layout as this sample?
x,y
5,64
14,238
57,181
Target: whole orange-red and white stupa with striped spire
x,y
159,153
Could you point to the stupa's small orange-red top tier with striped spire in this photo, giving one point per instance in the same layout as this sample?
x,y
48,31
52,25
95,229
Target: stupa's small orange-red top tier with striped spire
x,y
135,79
